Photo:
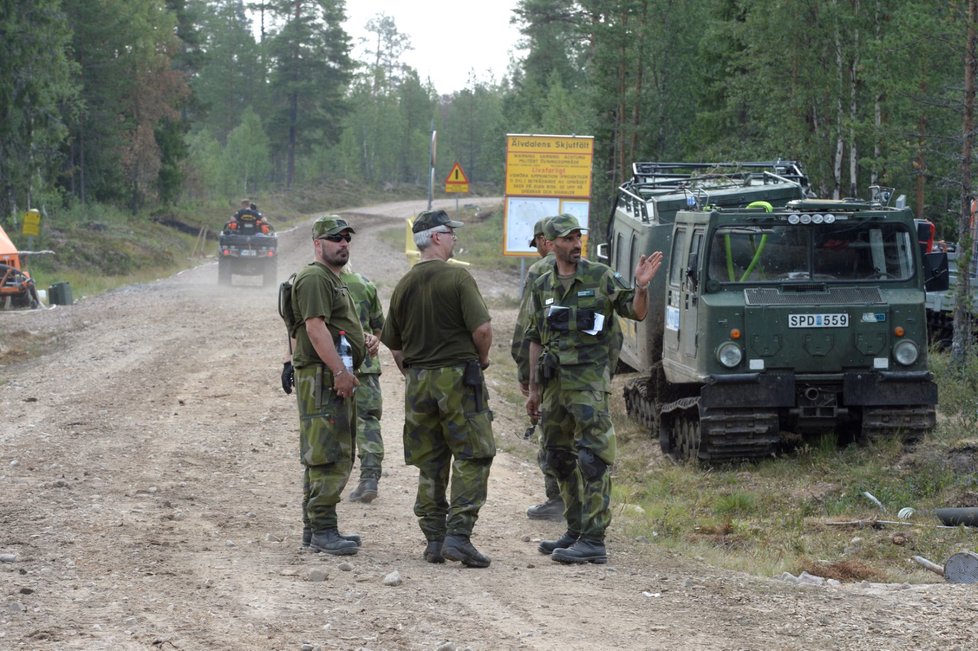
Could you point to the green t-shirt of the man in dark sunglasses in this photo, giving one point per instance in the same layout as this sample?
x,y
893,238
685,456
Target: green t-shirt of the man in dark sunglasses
x,y
318,292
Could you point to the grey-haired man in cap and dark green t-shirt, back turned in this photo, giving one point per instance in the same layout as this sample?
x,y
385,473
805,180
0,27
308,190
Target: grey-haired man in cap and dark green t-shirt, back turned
x,y
439,332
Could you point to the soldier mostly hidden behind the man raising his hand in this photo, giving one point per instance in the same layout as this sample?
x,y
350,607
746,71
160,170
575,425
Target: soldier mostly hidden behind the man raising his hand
x,y
553,507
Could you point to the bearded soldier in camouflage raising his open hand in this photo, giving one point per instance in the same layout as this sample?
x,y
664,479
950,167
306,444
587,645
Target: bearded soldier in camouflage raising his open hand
x,y
573,337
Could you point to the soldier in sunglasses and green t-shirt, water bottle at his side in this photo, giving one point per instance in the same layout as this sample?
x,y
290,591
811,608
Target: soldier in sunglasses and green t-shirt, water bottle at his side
x,y
324,387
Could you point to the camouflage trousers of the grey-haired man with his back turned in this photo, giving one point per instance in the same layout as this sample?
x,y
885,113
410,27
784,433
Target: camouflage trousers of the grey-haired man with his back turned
x,y
449,438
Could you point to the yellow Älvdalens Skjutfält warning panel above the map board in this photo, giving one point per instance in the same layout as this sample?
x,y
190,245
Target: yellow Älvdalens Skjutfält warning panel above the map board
x,y
549,166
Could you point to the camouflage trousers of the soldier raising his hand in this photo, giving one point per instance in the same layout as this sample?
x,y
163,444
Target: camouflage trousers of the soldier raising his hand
x,y
580,448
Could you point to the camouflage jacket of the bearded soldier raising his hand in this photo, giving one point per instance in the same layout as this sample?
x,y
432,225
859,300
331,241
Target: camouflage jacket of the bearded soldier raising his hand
x,y
578,325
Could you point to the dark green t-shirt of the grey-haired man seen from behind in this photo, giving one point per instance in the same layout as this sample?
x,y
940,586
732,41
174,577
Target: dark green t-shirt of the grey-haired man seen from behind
x,y
433,312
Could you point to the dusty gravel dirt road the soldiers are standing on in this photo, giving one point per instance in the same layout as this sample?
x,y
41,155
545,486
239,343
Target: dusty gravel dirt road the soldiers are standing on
x,y
150,494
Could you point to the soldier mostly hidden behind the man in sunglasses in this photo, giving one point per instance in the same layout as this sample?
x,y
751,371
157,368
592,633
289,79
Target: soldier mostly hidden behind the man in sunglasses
x,y
370,444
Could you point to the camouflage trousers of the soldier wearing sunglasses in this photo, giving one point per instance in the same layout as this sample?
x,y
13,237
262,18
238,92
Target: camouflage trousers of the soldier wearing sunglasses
x,y
326,445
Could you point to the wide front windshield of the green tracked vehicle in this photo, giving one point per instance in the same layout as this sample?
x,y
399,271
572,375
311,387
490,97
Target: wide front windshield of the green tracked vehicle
x,y
840,251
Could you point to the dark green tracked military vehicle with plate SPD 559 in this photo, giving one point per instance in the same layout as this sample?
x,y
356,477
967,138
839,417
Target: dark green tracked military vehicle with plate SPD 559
x,y
775,315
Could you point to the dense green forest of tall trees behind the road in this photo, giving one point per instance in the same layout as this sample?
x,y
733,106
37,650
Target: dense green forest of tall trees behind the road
x,y
161,107
